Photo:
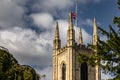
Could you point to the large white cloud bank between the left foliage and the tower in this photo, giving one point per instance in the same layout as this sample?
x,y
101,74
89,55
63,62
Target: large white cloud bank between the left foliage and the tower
x,y
28,46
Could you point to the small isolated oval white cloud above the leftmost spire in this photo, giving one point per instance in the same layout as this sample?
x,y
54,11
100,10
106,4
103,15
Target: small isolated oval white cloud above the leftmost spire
x,y
44,20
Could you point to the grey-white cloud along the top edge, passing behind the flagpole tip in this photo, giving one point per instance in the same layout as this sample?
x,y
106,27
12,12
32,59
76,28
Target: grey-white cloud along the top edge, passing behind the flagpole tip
x,y
59,4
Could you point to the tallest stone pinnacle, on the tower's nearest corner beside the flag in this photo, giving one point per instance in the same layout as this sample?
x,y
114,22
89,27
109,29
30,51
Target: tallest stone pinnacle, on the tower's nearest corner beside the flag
x,y
71,32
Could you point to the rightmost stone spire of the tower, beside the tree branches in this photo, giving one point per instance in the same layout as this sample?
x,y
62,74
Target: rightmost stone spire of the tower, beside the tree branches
x,y
95,33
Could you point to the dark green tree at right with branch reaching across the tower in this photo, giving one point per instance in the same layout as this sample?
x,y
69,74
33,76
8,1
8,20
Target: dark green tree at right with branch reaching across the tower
x,y
108,51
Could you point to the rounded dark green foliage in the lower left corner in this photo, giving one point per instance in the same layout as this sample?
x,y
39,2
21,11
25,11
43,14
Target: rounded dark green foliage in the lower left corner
x,y
11,70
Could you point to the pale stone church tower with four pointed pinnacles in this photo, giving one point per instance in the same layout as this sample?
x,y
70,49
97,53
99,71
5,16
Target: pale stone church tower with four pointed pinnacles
x,y
65,61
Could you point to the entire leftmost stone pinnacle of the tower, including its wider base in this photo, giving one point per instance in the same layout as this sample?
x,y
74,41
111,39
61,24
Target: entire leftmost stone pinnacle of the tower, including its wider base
x,y
57,41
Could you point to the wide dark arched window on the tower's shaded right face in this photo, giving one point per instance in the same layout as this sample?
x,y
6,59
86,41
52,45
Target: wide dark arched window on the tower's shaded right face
x,y
84,71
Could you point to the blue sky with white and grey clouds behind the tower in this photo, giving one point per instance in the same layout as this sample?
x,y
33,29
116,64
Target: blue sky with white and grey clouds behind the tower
x,y
27,27
